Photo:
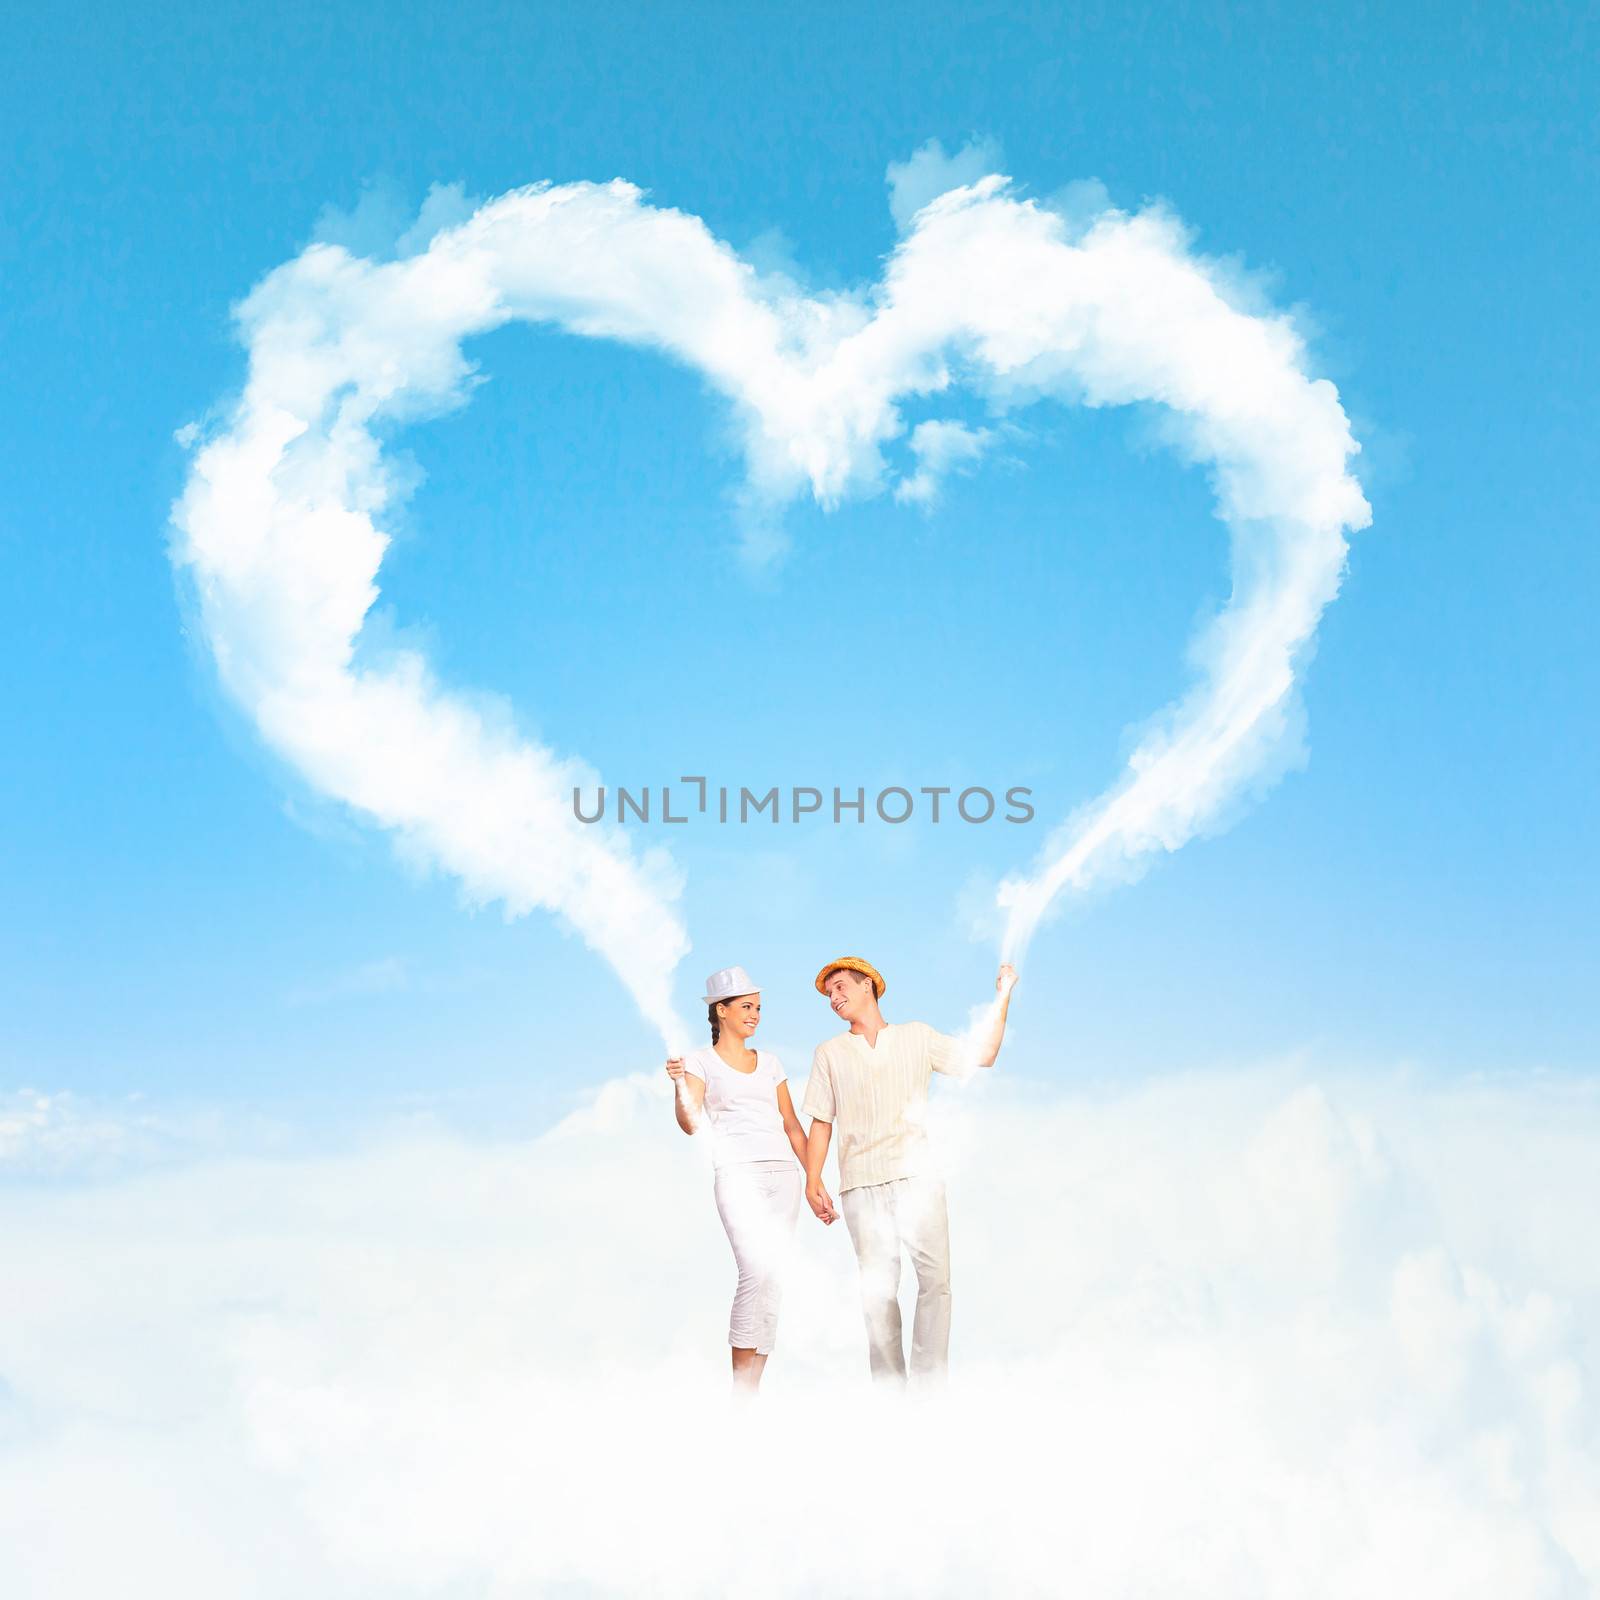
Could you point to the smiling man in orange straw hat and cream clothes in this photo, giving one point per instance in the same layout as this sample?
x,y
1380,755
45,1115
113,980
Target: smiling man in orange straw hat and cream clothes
x,y
871,1084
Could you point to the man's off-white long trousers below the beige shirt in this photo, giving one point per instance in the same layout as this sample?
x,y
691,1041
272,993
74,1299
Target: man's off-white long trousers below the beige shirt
x,y
882,1220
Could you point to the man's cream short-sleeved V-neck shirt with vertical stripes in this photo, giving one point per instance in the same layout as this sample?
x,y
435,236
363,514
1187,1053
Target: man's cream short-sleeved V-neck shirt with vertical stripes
x,y
878,1100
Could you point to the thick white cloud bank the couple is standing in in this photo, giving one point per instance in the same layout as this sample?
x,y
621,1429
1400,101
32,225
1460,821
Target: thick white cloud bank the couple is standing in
x,y
1263,1334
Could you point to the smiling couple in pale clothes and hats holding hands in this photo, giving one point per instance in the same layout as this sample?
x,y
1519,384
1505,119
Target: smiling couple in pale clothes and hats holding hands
x,y
871,1087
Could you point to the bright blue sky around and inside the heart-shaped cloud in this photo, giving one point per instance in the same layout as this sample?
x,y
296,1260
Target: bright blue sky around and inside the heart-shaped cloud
x,y
185,921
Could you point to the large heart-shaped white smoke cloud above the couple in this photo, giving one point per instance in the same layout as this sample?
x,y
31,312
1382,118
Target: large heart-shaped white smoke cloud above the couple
x,y
281,521
